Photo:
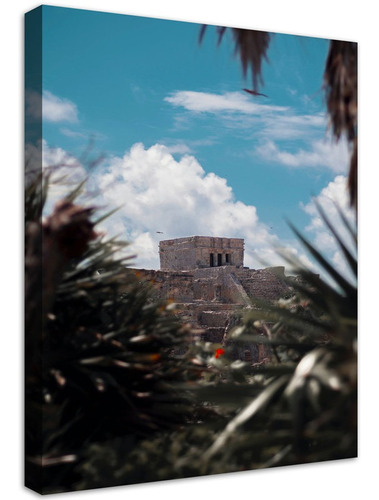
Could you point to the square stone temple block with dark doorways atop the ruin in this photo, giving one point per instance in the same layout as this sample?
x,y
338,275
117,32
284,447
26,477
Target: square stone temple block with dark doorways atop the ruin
x,y
197,252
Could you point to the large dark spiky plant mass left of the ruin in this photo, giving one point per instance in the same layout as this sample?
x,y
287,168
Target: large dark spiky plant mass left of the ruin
x,y
103,357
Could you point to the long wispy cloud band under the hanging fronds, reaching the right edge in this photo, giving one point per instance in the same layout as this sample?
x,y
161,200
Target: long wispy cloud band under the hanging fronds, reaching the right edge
x,y
271,130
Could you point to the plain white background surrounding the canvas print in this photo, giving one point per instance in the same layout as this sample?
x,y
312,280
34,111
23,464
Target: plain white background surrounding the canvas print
x,y
349,20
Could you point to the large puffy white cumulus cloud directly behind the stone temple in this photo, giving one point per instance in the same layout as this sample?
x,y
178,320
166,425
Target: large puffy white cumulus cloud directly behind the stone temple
x,y
159,194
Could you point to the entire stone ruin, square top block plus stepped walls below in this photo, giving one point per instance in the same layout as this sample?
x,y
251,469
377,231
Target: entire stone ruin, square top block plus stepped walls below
x,y
206,278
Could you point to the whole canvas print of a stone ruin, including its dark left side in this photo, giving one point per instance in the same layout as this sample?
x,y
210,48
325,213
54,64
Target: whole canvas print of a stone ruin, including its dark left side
x,y
190,249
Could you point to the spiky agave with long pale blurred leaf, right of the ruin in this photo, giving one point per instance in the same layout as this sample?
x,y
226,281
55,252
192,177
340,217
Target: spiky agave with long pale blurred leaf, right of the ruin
x,y
305,408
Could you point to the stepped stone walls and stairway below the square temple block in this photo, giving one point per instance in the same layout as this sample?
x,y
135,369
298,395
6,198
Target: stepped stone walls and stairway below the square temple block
x,y
210,298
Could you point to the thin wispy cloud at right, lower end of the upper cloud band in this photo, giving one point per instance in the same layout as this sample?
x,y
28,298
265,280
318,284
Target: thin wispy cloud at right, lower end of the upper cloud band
x,y
321,153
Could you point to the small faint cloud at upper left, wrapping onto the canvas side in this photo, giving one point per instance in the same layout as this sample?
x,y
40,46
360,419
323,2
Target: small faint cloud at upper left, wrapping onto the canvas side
x,y
50,107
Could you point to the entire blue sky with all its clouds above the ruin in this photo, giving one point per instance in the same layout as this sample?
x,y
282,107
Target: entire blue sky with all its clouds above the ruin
x,y
185,150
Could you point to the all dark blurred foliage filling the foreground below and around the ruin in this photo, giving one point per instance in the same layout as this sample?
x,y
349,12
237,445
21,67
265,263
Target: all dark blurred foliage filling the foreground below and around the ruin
x,y
120,393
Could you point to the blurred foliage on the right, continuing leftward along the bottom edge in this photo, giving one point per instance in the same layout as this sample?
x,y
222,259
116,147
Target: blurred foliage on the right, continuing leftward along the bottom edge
x,y
299,406
